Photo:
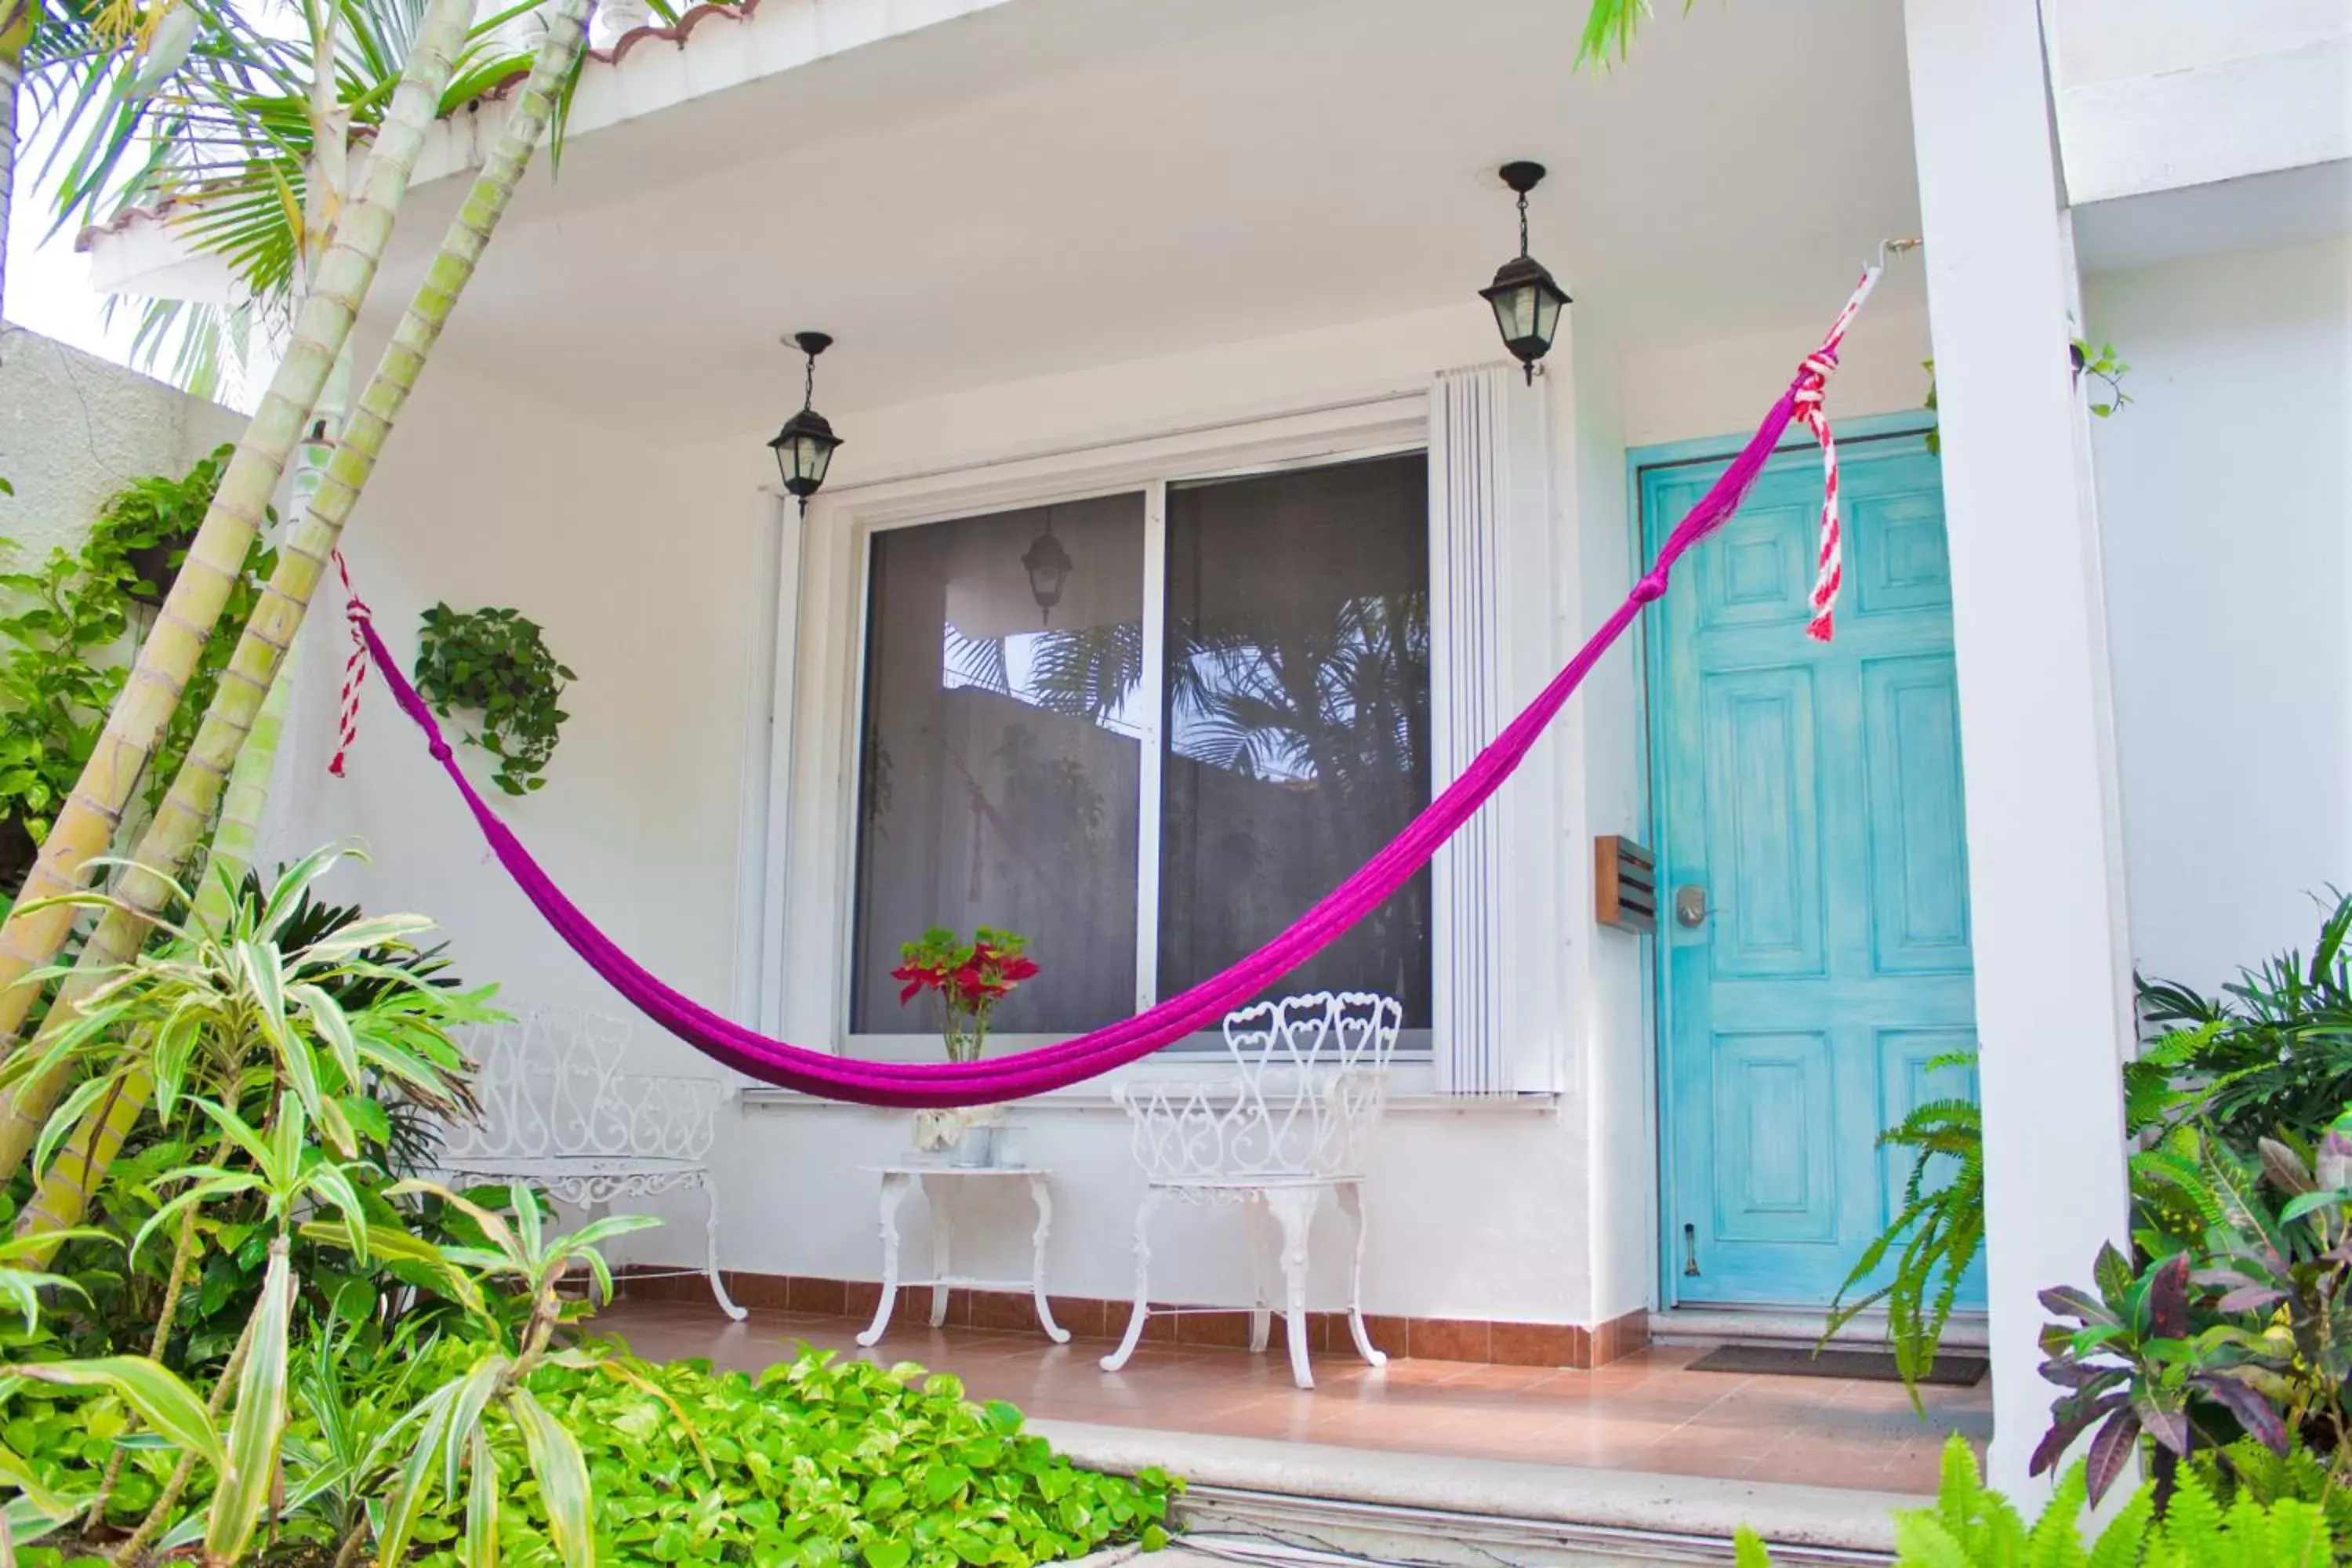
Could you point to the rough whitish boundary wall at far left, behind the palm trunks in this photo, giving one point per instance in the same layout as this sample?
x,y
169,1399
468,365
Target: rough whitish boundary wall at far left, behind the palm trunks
x,y
76,429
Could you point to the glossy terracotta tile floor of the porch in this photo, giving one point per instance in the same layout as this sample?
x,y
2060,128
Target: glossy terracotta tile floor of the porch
x,y
1648,1412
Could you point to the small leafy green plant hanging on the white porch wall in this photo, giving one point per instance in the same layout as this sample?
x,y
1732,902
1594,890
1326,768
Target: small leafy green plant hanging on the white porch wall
x,y
495,666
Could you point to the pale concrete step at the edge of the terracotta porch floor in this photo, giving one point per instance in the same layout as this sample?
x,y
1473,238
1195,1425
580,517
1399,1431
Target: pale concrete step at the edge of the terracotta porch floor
x,y
1307,1503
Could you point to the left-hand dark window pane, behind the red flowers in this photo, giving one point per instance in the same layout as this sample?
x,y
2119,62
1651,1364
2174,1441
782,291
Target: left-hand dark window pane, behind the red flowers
x,y
1001,758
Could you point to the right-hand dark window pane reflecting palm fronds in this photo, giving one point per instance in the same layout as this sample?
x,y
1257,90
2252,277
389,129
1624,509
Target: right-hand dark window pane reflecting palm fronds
x,y
1297,716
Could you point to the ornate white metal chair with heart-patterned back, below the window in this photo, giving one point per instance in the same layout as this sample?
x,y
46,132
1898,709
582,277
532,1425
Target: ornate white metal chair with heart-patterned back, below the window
x,y
1290,1125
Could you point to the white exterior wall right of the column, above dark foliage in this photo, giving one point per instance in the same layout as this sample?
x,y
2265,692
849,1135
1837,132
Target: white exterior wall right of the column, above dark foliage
x,y
2226,514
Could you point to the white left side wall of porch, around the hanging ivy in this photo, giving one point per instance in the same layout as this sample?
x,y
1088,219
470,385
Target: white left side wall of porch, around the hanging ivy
x,y
632,568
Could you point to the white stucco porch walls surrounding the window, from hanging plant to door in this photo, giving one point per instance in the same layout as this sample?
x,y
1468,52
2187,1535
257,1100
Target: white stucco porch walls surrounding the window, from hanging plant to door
x,y
641,565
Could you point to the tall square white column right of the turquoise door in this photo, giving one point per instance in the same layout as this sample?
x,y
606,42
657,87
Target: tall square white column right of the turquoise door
x,y
2045,866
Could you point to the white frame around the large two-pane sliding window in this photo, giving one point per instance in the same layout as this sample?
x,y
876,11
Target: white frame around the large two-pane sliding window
x,y
808,951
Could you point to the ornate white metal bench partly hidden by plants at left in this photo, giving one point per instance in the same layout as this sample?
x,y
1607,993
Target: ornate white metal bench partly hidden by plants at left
x,y
559,1113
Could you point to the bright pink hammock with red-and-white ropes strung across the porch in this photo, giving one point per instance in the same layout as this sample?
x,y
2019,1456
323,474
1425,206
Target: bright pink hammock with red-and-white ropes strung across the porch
x,y
1029,1073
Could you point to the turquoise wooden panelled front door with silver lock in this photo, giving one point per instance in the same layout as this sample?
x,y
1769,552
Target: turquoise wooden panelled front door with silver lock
x,y
1815,866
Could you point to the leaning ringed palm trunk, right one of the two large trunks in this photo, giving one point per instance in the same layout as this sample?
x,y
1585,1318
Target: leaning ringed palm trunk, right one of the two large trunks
x,y
222,739
